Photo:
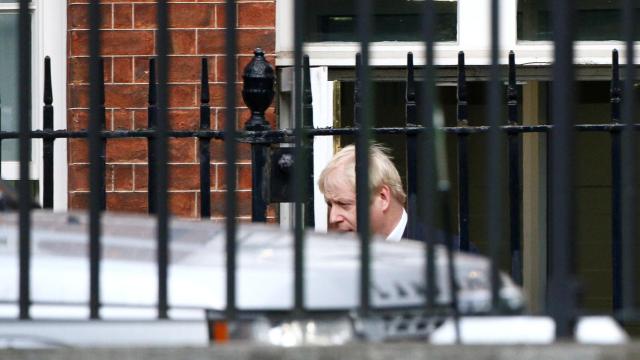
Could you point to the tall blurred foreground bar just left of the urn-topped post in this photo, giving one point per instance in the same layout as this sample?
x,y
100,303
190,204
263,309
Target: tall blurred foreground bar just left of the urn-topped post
x,y
230,155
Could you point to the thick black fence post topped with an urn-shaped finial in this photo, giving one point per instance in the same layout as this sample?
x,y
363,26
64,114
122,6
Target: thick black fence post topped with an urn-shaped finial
x,y
257,93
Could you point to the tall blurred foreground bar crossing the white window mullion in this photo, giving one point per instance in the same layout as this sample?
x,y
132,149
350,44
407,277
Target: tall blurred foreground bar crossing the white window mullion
x,y
494,233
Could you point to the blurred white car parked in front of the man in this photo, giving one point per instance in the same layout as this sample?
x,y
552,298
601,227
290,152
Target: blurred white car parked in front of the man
x,y
196,282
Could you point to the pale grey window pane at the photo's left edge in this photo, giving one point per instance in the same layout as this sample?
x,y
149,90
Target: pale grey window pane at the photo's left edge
x,y
9,82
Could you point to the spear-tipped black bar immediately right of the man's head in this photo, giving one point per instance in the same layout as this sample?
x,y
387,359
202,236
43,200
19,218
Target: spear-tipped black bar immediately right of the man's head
x,y
411,150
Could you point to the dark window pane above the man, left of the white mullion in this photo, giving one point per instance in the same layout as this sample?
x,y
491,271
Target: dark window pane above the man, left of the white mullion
x,y
393,20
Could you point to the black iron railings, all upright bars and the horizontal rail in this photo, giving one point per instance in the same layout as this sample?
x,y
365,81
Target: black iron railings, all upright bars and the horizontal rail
x,y
428,189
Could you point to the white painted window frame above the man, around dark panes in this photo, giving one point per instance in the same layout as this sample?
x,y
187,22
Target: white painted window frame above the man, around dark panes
x,y
474,29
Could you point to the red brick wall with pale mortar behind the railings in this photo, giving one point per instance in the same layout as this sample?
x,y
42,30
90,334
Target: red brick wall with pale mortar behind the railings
x,y
128,31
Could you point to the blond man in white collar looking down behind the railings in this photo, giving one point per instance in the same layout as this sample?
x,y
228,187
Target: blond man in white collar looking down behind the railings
x,y
337,183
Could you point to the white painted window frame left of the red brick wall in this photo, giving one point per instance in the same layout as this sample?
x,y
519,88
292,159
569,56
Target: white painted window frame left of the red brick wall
x,y
49,32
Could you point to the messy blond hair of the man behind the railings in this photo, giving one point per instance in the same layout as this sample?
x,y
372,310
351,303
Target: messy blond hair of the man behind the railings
x,y
382,171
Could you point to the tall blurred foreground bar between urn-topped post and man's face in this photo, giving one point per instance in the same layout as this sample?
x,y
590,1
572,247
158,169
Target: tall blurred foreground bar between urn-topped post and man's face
x,y
300,161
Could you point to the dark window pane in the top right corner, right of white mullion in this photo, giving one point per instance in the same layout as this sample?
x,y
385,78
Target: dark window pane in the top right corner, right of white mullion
x,y
595,20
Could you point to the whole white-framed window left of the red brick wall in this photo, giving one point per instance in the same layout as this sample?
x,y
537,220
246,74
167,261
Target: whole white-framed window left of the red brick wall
x,y
48,38
